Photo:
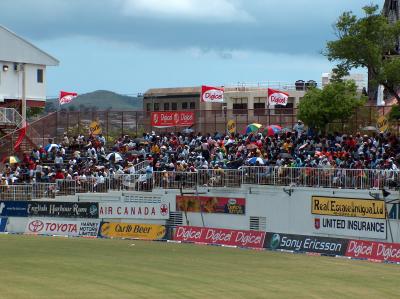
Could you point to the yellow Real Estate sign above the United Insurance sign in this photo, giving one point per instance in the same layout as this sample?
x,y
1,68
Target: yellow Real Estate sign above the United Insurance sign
x,y
350,207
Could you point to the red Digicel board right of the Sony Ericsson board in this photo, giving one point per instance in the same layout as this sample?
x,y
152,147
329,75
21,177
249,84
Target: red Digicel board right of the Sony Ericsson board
x,y
389,252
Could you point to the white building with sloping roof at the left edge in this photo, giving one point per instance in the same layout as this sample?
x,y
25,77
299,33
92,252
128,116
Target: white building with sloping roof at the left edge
x,y
22,61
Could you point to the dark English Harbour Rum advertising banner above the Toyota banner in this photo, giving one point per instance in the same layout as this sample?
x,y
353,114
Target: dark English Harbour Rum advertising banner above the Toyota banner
x,y
63,209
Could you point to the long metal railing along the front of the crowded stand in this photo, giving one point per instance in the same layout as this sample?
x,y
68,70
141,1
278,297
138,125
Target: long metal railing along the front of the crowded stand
x,y
362,179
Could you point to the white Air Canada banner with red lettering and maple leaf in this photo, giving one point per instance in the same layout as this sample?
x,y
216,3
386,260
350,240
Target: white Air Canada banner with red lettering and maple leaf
x,y
133,210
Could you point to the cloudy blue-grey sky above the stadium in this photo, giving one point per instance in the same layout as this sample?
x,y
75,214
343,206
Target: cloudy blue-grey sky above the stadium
x,y
128,46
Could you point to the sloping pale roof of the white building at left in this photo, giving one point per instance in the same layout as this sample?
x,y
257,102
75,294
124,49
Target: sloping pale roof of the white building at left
x,y
16,49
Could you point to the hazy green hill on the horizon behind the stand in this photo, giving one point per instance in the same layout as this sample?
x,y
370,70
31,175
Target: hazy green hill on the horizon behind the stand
x,y
100,99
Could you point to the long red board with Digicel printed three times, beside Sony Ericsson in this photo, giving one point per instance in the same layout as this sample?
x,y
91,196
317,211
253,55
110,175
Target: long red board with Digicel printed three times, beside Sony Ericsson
x,y
208,235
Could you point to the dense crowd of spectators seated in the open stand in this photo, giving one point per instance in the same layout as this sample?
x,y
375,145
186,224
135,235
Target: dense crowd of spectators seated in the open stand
x,y
81,157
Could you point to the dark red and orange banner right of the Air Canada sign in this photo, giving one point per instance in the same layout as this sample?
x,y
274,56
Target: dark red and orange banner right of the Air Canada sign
x,y
211,204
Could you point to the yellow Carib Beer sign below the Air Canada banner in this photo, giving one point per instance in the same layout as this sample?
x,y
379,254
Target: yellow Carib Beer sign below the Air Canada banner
x,y
132,231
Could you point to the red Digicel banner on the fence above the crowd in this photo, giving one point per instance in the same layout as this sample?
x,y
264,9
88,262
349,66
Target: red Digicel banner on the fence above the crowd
x,y
172,119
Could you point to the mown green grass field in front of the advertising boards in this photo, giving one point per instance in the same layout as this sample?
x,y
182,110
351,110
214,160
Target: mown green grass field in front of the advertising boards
x,y
48,267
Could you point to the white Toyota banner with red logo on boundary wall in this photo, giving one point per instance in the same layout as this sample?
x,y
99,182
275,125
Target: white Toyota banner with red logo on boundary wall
x,y
48,226
